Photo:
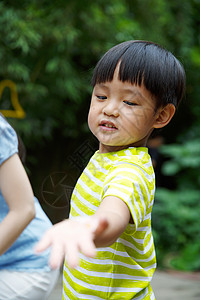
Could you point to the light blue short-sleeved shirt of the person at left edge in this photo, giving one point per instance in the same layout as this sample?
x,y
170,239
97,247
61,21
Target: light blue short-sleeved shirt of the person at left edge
x,y
20,256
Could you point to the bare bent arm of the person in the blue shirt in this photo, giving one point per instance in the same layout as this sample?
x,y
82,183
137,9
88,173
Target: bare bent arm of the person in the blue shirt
x,y
16,190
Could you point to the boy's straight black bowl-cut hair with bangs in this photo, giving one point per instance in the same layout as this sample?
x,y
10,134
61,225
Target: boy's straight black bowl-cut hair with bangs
x,y
147,63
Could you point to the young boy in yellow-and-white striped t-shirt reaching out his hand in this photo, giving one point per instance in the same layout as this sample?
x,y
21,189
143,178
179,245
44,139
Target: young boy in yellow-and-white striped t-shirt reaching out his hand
x,y
107,240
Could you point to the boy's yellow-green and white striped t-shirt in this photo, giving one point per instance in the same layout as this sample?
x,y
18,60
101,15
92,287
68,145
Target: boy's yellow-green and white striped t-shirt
x,y
124,269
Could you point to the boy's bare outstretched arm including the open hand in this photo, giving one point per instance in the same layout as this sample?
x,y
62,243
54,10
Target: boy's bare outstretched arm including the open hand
x,y
70,237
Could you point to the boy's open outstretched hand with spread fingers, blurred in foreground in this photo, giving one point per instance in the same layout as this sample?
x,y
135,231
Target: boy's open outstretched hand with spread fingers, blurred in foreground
x,y
70,237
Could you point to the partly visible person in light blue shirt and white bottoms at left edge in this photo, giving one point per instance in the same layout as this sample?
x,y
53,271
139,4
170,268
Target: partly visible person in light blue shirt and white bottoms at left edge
x,y
23,275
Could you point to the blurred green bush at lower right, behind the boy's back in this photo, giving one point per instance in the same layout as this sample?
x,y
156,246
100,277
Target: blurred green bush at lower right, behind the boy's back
x,y
176,212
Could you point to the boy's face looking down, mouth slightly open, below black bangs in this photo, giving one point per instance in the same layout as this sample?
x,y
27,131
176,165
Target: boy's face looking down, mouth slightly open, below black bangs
x,y
121,115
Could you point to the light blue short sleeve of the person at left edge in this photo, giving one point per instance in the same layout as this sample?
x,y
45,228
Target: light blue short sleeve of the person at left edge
x,y
8,140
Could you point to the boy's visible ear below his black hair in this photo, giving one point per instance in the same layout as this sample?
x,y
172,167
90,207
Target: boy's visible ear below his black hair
x,y
164,115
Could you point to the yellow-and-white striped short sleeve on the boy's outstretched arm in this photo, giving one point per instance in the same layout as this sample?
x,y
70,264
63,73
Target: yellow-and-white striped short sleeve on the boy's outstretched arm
x,y
128,182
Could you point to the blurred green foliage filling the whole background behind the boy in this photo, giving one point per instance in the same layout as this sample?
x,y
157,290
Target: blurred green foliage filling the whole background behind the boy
x,y
49,48
